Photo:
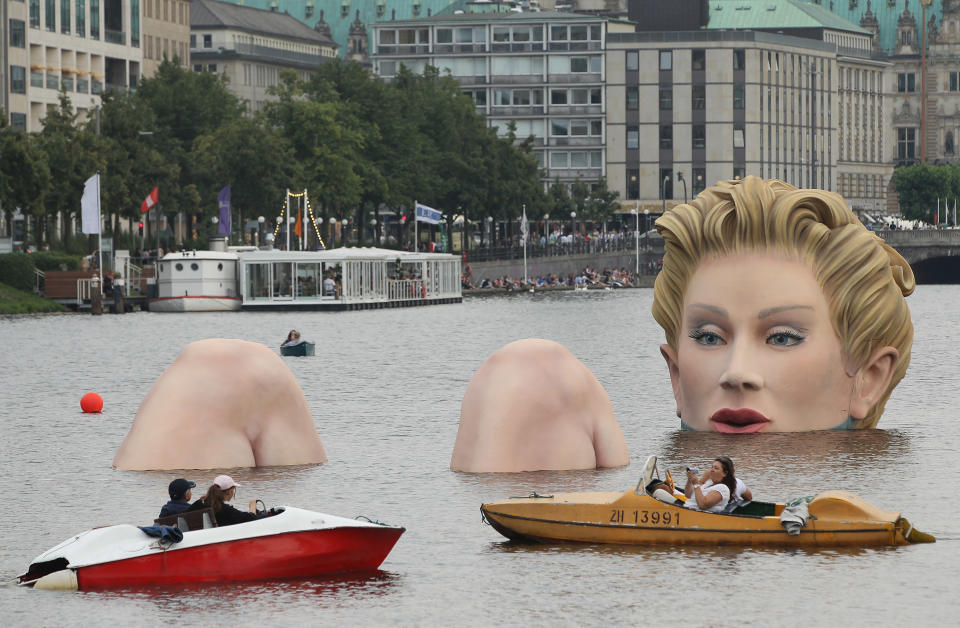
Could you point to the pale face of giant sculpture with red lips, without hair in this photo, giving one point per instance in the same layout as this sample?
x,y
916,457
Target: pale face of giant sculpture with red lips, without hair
x,y
756,350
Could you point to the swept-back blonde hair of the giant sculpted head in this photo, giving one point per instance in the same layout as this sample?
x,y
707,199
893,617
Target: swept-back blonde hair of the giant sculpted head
x,y
863,279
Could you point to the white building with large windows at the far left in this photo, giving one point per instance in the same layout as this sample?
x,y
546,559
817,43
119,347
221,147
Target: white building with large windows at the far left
x,y
79,46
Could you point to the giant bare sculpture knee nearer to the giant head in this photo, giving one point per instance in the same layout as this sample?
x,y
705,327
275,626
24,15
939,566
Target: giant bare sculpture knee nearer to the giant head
x,y
533,405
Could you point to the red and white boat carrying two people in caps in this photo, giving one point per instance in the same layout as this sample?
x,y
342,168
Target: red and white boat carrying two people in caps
x,y
293,543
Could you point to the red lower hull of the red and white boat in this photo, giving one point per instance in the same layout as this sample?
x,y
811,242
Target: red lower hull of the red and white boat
x,y
290,555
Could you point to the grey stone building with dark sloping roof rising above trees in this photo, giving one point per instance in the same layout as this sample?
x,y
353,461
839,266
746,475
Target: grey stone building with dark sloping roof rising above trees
x,y
251,47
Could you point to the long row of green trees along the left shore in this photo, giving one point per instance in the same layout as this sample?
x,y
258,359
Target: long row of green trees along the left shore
x,y
355,143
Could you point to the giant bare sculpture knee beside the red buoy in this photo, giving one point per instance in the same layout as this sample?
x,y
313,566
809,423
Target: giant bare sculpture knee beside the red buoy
x,y
222,403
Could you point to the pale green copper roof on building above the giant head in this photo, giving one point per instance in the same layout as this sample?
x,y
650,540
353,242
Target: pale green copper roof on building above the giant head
x,y
775,14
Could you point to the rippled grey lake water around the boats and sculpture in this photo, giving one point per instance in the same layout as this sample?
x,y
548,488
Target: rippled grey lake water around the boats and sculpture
x,y
385,390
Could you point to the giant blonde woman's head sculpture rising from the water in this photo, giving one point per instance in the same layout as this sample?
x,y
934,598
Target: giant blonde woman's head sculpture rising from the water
x,y
781,311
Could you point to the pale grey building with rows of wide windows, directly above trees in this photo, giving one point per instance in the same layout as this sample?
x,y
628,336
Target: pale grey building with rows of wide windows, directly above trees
x,y
542,72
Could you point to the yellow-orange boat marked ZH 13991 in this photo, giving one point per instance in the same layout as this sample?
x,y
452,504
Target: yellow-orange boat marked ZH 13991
x,y
835,518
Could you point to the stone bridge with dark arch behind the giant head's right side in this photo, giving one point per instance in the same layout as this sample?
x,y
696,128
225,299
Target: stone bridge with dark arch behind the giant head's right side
x,y
934,254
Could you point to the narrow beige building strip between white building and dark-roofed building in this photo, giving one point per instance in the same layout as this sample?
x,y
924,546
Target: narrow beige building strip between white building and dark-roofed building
x,y
166,33
